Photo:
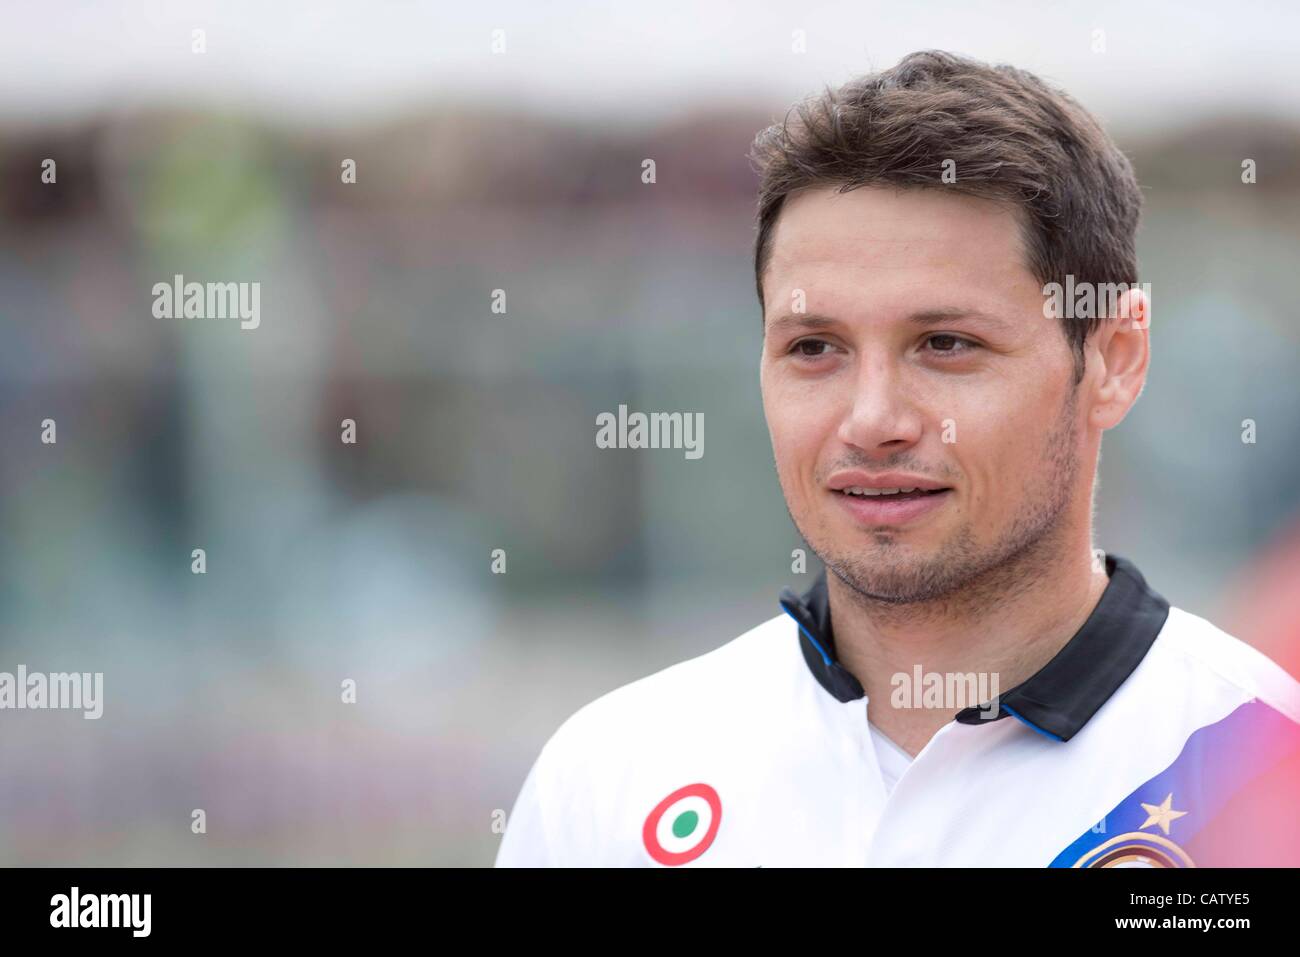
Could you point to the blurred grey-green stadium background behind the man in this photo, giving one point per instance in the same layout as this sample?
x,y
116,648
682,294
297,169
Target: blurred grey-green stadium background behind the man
x,y
482,167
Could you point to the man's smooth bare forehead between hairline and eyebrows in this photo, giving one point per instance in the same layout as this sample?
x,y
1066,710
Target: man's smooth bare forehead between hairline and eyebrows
x,y
881,244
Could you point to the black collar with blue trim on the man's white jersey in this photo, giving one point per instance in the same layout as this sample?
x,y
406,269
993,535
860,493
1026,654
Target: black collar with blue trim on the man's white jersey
x,y
1059,699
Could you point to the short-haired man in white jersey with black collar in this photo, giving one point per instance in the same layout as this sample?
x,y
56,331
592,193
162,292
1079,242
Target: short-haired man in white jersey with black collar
x,y
994,691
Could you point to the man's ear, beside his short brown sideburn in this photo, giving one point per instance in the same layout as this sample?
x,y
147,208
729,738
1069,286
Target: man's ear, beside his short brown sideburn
x,y
1123,353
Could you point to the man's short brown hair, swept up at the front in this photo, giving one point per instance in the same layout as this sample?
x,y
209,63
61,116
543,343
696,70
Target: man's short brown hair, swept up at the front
x,y
1013,138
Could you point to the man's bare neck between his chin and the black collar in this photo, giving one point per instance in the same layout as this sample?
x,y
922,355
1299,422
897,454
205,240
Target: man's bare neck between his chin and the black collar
x,y
1006,625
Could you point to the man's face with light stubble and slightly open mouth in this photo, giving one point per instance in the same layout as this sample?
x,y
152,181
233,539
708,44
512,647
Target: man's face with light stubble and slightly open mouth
x,y
921,350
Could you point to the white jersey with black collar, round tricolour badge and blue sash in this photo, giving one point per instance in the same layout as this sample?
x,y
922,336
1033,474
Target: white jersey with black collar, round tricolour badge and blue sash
x,y
1123,751
